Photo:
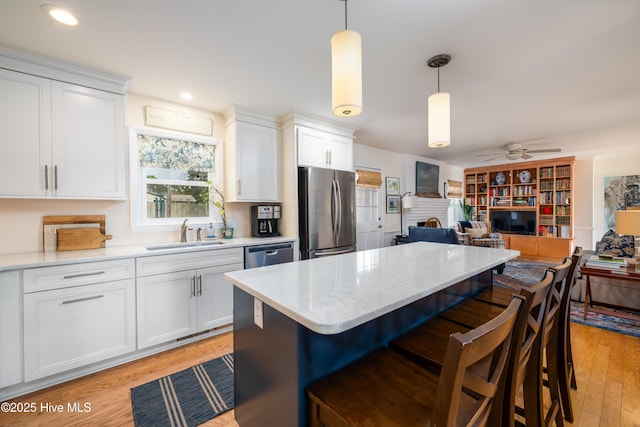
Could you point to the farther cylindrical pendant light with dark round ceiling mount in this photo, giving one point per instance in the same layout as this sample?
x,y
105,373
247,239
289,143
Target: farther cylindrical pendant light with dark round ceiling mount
x,y
439,109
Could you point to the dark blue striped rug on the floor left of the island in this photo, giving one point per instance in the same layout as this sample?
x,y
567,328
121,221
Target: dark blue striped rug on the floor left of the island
x,y
186,398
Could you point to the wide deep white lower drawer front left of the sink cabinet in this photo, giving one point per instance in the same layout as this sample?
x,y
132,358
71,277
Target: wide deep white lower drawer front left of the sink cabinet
x,y
72,327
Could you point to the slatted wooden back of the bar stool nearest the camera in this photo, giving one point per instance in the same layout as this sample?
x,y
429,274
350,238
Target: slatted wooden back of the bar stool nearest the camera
x,y
475,361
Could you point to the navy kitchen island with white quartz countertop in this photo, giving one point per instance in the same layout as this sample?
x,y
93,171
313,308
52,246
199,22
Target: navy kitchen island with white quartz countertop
x,y
297,322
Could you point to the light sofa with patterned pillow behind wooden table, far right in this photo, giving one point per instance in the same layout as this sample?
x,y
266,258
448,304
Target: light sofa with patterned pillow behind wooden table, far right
x,y
611,291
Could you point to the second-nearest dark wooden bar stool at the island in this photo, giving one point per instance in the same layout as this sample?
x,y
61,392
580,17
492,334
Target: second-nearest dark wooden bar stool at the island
x,y
424,344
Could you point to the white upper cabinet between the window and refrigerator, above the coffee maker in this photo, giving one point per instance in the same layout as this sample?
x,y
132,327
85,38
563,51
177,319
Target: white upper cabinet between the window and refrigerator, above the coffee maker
x,y
251,159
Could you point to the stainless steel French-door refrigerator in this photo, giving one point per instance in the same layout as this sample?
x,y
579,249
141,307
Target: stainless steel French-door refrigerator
x,y
326,203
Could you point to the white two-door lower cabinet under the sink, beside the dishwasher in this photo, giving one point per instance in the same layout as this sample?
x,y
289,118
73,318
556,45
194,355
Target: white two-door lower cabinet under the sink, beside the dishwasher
x,y
180,301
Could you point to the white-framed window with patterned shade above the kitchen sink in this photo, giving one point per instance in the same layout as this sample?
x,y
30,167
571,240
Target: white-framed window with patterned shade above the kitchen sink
x,y
171,178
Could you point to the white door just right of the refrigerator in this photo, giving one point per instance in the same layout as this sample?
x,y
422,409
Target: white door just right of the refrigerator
x,y
368,220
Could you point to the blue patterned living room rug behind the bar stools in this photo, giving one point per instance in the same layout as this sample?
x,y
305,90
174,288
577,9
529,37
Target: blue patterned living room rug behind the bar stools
x,y
519,274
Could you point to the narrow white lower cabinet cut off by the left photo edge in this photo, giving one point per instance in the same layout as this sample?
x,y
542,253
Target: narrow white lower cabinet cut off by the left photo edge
x,y
10,329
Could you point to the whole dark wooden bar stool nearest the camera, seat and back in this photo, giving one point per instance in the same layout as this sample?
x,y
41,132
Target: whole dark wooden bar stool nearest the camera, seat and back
x,y
385,388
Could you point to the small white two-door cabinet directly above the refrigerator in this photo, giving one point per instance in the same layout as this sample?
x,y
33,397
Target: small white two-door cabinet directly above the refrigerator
x,y
324,149
